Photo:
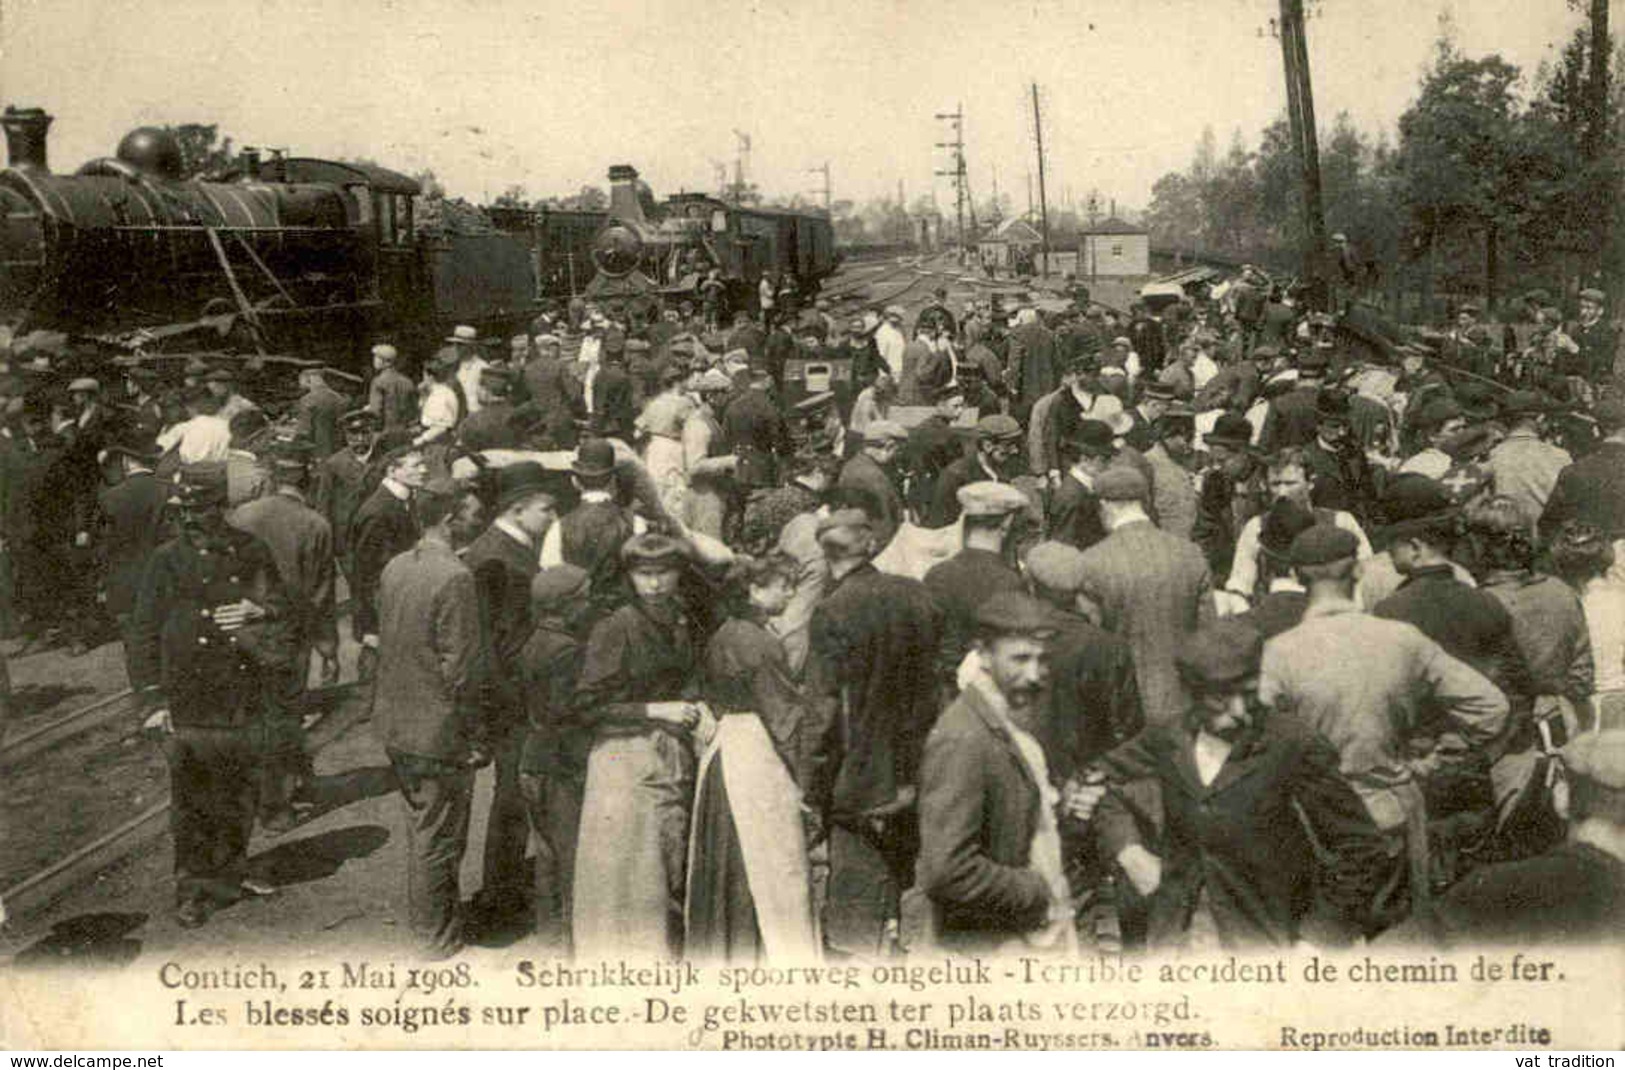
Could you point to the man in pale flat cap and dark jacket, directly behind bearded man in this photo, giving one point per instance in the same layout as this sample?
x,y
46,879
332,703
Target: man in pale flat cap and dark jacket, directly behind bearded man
x,y
979,572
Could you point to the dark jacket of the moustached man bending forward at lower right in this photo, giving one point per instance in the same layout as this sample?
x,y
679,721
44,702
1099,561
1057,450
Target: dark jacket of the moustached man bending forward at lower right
x,y
1241,837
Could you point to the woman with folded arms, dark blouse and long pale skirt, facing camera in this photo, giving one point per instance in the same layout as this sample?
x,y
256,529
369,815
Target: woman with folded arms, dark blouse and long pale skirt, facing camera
x,y
638,692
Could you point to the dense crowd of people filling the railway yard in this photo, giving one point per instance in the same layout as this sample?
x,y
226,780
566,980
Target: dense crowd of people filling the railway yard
x,y
1213,624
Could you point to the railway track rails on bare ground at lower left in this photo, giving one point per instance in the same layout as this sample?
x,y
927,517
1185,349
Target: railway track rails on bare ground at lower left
x,y
339,707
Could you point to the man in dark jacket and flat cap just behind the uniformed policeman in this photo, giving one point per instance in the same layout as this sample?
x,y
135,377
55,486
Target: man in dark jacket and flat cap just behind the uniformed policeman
x,y
301,544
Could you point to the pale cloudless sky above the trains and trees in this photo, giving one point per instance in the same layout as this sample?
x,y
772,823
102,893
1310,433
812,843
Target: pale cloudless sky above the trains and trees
x,y
496,94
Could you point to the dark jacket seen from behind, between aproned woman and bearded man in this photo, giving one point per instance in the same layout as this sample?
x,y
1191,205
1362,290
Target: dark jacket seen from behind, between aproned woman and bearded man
x,y
870,689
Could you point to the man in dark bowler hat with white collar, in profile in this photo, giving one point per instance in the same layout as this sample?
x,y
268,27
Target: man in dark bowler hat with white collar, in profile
x,y
505,560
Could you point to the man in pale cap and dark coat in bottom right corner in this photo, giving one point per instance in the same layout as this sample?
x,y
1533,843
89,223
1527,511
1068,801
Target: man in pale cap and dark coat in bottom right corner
x,y
1574,894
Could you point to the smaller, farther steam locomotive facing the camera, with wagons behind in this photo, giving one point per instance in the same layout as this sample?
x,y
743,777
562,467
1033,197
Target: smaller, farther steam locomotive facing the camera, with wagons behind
x,y
641,248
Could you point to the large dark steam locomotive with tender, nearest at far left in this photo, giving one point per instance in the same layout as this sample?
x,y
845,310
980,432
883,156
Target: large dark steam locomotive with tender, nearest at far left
x,y
287,256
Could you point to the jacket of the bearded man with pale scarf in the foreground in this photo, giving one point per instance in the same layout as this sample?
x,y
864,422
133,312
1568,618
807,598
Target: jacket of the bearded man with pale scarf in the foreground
x,y
979,809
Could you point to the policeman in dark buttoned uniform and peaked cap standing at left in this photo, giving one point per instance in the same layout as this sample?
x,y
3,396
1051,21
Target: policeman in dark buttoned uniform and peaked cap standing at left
x,y
210,632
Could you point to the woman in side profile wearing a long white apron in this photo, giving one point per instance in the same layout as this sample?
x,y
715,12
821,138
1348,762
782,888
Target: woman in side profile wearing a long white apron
x,y
750,890
